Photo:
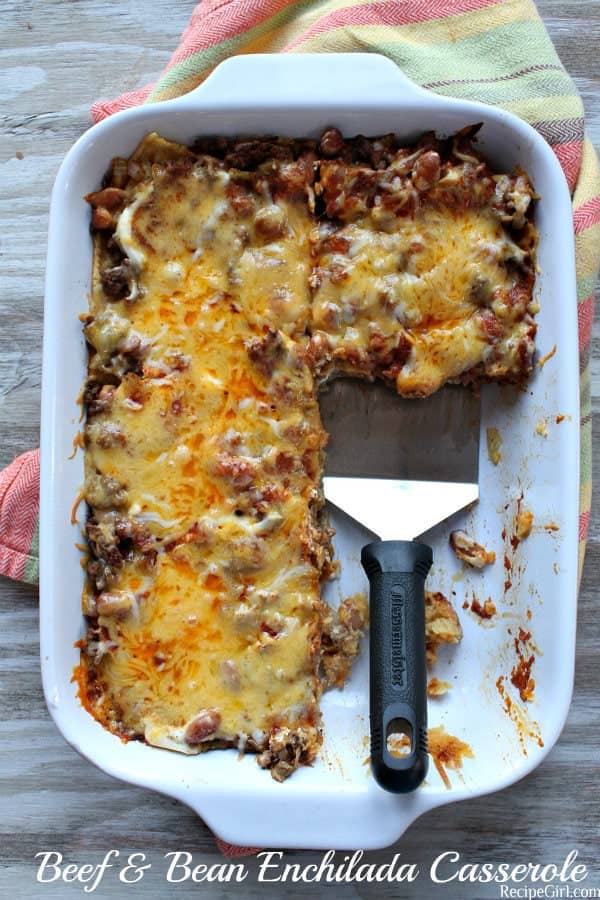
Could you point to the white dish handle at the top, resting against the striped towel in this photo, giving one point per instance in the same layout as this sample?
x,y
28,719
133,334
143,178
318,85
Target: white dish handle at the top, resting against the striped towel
x,y
273,79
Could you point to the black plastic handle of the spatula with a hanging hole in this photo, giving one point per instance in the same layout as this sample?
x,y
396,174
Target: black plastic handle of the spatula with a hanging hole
x,y
396,571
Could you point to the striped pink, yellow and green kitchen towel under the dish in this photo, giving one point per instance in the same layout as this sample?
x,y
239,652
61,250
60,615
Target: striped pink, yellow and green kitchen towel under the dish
x,y
496,51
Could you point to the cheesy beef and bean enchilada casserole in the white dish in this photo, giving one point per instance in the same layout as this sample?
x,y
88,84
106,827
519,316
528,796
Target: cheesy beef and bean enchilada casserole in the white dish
x,y
231,280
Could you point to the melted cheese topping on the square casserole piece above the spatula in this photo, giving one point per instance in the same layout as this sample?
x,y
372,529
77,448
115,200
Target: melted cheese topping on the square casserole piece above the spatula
x,y
442,286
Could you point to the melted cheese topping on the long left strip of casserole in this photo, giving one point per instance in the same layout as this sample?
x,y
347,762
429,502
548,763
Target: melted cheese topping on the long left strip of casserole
x,y
218,467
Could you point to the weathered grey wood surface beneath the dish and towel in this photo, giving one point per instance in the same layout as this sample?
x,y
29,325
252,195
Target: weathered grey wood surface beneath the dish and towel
x,y
56,57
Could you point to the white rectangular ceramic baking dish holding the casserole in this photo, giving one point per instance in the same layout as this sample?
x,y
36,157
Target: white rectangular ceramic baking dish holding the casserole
x,y
336,803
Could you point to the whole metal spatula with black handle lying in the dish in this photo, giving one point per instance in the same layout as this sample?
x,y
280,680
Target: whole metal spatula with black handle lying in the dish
x,y
399,467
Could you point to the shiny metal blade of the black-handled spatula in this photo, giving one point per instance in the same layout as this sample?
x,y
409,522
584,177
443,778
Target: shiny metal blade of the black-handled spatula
x,y
400,466
